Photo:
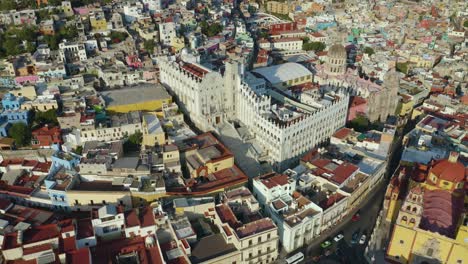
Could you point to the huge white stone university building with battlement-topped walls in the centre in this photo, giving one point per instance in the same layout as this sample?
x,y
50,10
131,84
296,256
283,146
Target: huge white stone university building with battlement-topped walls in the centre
x,y
283,125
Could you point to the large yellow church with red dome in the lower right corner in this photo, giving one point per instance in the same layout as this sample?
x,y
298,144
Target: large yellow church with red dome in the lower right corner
x,y
431,225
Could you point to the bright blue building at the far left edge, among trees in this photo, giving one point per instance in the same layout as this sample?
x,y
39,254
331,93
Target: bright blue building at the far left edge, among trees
x,y
12,111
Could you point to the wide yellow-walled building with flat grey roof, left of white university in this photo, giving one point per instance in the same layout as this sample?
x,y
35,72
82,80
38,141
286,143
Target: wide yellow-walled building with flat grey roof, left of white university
x,y
145,97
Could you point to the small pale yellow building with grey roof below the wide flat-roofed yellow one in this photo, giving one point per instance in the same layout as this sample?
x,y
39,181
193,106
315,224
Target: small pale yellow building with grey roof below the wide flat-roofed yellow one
x,y
153,134
